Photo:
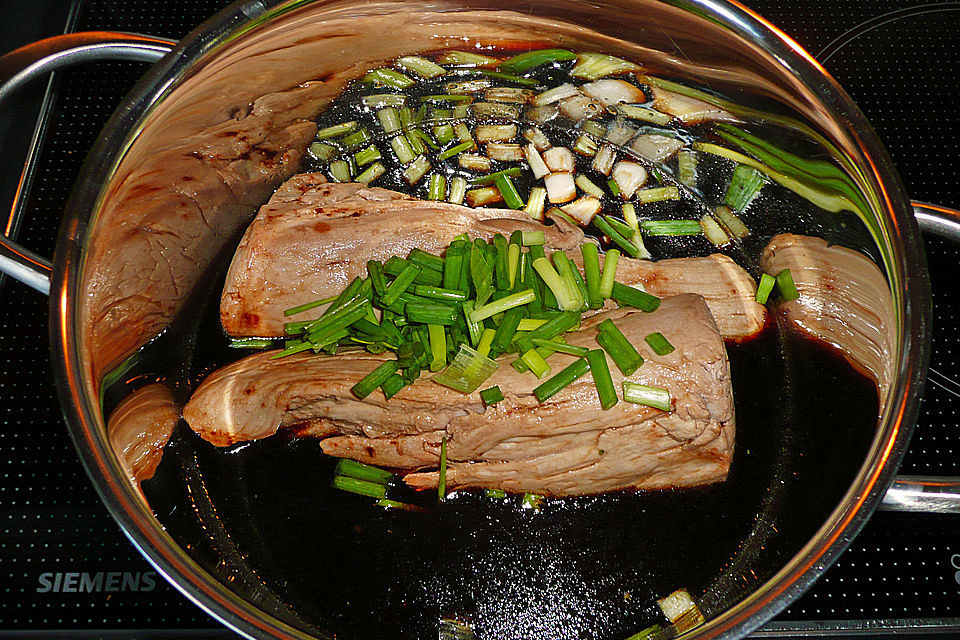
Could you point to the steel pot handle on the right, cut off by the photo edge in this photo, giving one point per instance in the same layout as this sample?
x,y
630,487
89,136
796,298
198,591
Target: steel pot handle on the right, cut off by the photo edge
x,y
919,493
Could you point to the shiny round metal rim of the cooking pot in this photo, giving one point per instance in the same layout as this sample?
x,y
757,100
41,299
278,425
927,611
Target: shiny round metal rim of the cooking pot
x,y
144,530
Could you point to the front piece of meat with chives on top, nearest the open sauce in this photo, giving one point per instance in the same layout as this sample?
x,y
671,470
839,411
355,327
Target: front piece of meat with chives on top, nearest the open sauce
x,y
568,445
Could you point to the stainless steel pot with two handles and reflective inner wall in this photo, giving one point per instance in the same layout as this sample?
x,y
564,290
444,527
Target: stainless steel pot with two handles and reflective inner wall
x,y
253,48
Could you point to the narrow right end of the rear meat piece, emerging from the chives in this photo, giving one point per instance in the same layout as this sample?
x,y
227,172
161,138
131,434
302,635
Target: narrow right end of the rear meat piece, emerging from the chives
x,y
727,288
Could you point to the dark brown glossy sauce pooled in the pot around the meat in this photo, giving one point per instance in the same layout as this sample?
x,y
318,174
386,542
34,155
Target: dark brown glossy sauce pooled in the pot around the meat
x,y
263,517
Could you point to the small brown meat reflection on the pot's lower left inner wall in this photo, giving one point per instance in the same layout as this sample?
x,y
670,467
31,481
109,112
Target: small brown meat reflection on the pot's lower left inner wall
x,y
140,427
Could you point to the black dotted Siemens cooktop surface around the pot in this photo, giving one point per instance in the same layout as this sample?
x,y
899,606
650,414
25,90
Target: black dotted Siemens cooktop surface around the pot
x,y
899,69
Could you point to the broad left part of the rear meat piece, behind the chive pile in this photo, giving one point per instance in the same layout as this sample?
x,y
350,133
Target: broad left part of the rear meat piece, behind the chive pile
x,y
313,238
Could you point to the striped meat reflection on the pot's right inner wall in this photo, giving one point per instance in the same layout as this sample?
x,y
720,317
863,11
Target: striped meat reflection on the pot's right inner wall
x,y
844,300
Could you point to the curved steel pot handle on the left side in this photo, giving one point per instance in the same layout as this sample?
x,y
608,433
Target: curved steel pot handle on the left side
x,y
27,63
